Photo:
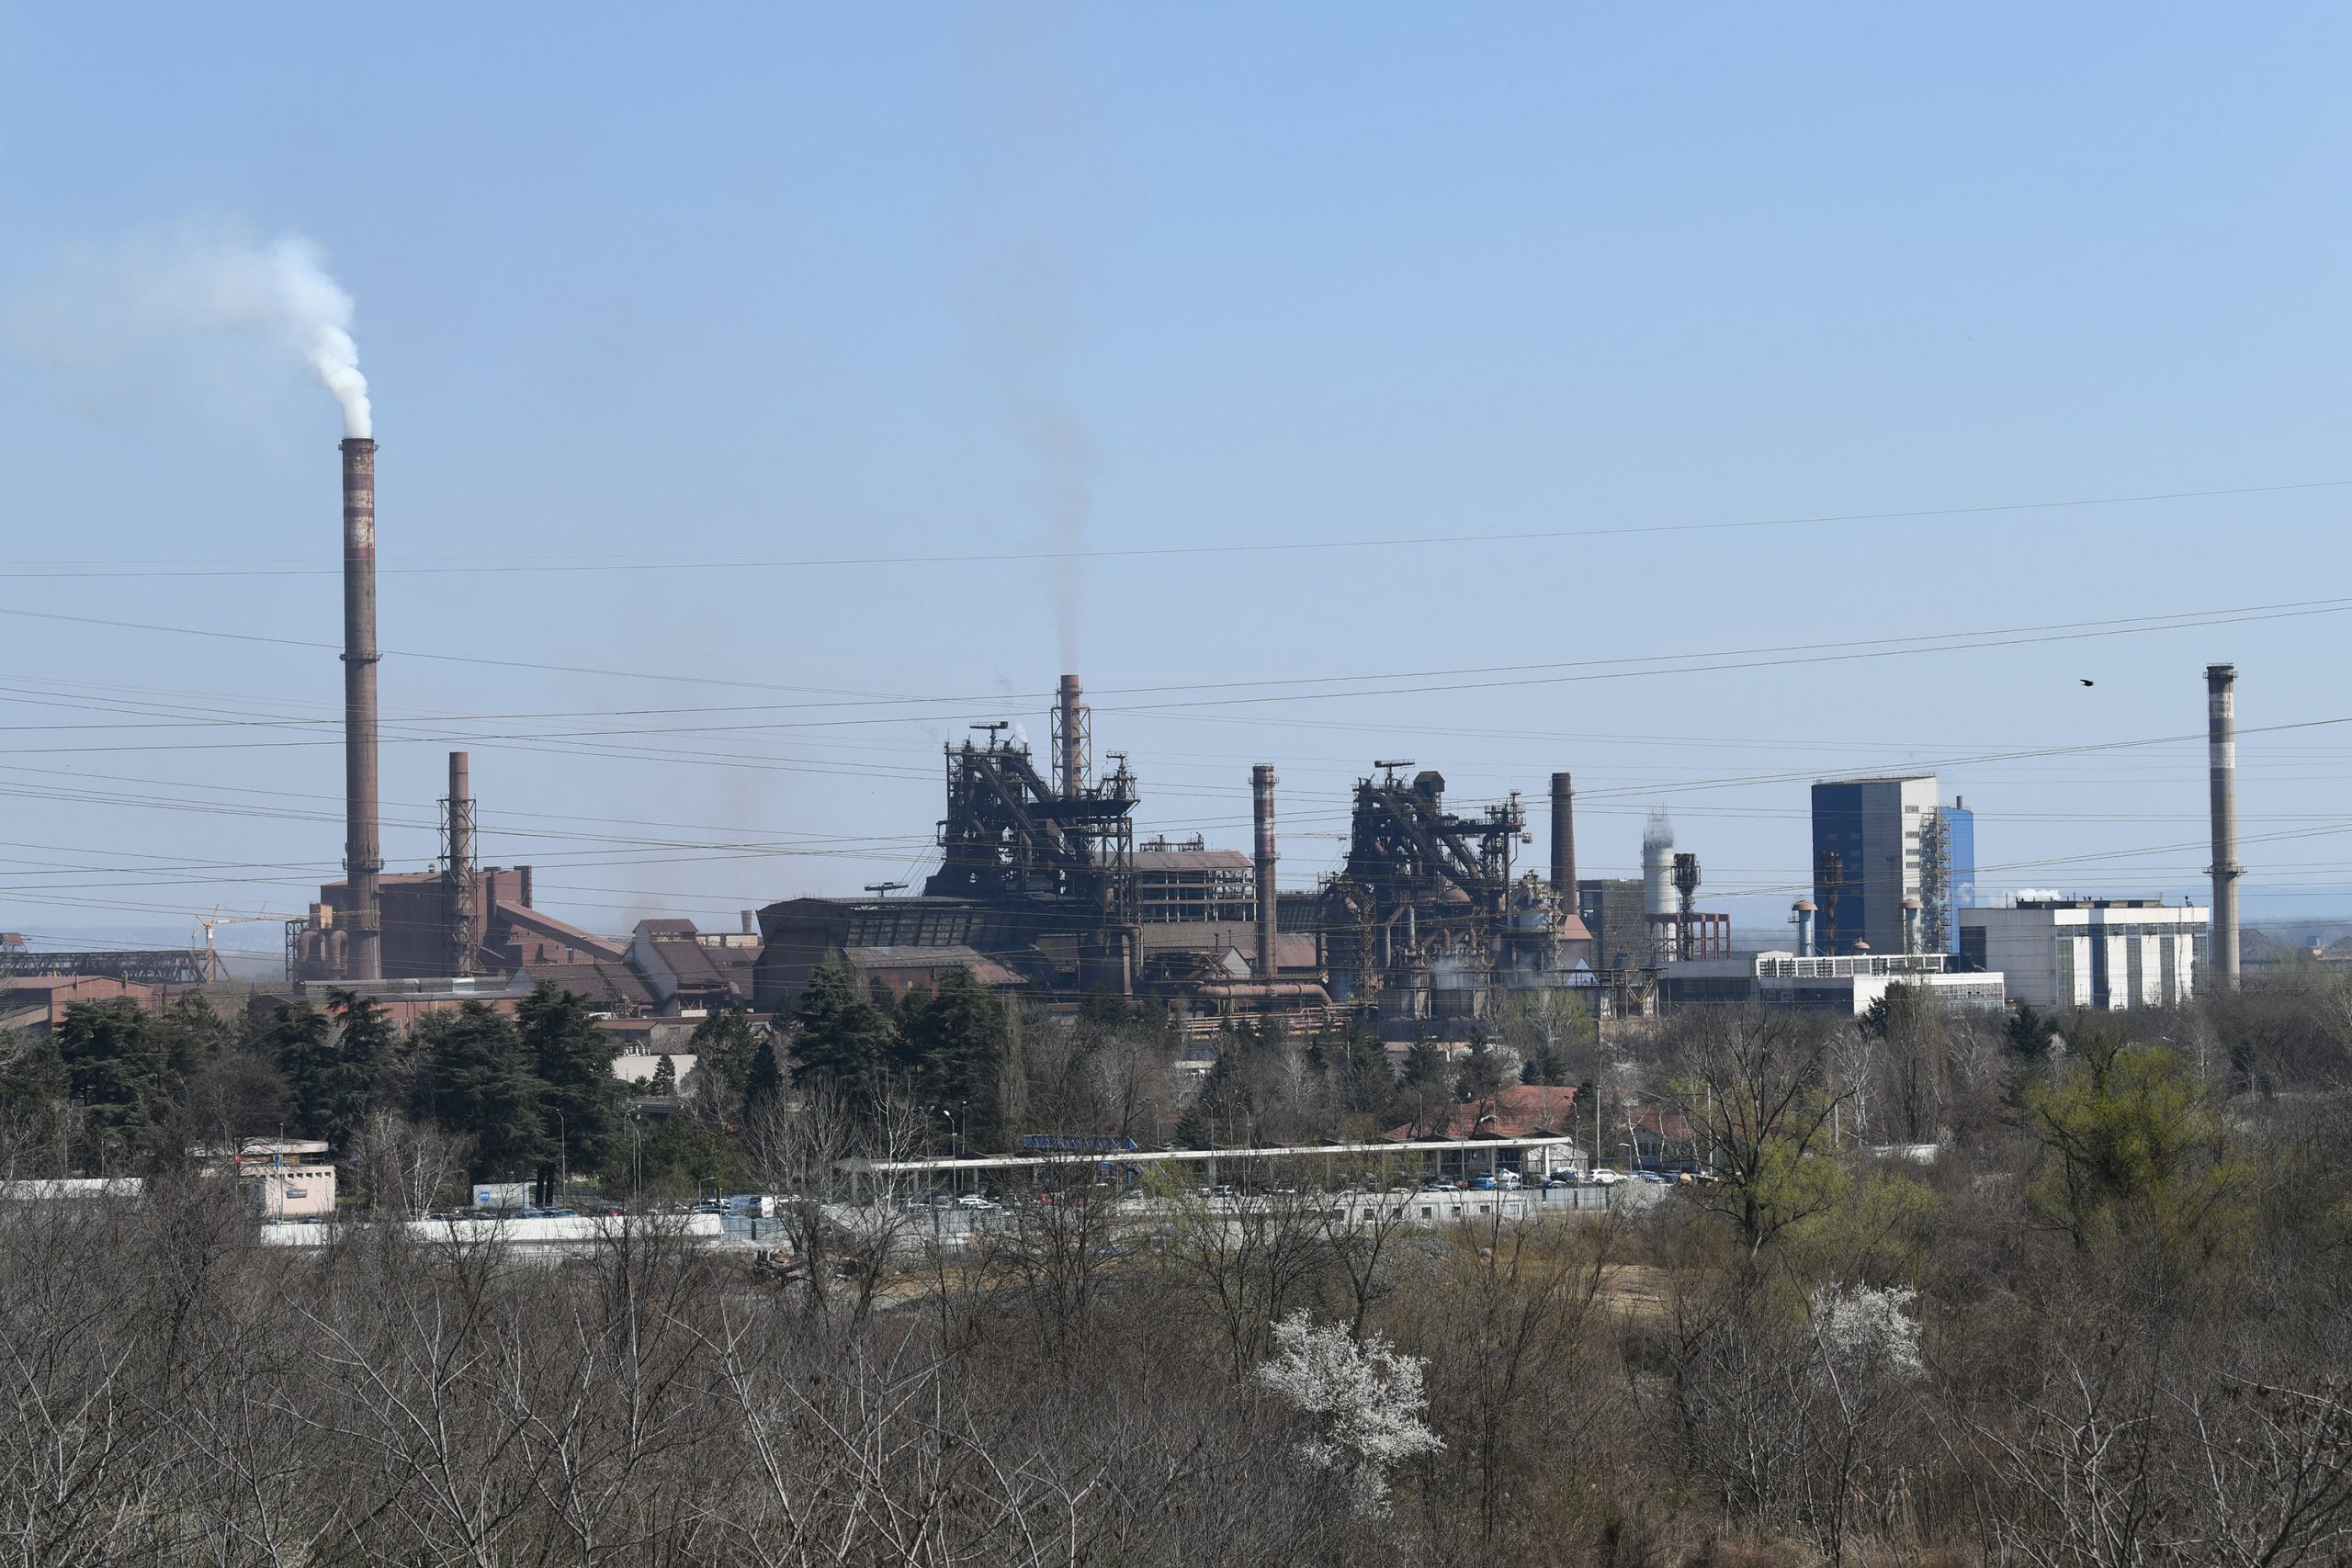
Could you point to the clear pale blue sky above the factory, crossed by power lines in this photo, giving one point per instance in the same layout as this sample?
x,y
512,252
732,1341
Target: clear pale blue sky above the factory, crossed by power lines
x,y
657,307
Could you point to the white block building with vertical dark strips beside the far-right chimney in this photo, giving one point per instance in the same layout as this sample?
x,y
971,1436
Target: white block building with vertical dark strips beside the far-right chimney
x,y
2099,953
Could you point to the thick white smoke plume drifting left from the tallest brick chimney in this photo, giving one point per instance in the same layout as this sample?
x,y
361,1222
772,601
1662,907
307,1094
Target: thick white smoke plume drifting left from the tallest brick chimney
x,y
114,302
